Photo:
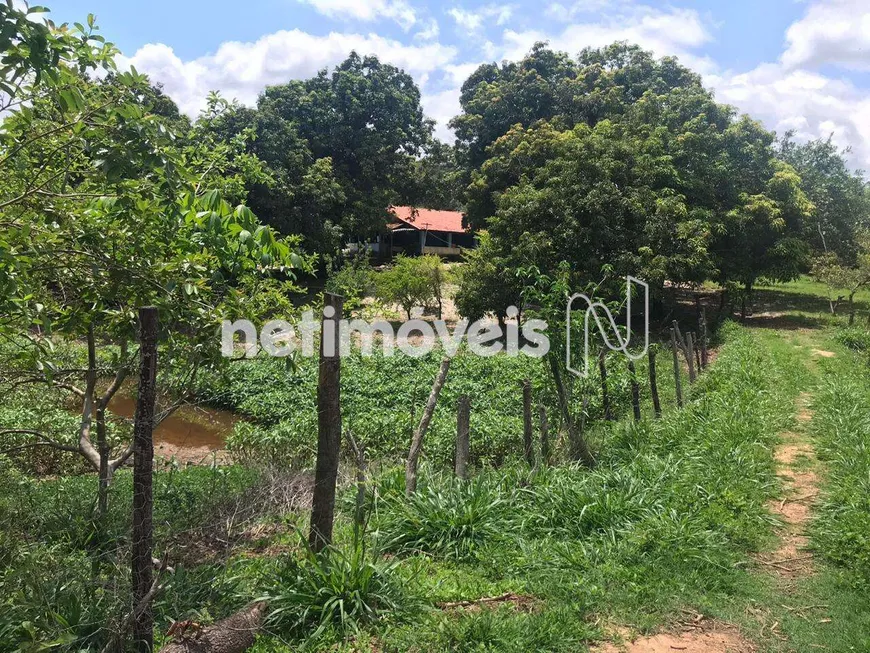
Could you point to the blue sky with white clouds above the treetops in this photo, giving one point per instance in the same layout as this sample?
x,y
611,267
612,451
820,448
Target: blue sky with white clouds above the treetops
x,y
801,65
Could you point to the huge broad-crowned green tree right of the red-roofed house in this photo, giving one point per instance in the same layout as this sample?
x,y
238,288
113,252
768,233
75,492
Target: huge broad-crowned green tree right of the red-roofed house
x,y
640,172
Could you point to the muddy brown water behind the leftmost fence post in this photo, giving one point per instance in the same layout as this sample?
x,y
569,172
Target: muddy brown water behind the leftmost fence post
x,y
192,434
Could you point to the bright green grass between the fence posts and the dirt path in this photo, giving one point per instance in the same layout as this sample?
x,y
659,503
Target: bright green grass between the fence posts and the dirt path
x,y
665,521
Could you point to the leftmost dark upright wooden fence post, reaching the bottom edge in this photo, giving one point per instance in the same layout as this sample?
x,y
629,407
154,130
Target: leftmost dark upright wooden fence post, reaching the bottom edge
x,y
143,499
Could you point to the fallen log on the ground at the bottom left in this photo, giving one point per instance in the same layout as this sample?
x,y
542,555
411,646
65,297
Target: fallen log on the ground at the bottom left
x,y
235,634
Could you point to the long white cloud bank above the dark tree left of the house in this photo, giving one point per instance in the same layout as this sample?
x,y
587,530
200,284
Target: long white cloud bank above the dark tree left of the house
x,y
242,70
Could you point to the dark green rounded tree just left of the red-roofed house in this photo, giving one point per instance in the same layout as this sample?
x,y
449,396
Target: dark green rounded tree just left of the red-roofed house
x,y
362,124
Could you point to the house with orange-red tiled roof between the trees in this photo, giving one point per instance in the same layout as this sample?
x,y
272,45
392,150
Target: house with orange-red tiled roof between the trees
x,y
425,231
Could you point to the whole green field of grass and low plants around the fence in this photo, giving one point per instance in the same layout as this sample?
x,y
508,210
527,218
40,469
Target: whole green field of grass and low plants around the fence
x,y
678,517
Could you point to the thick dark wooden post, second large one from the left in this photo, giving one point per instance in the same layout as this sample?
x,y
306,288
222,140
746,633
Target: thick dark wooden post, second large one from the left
x,y
328,426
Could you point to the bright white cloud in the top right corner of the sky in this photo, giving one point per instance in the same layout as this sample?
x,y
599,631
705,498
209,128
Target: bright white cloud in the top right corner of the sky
x,y
833,32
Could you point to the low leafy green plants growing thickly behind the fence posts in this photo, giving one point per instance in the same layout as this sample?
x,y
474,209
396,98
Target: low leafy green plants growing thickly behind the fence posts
x,y
382,396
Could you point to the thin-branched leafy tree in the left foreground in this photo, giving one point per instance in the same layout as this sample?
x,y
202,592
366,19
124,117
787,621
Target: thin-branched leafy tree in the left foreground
x,y
104,210
